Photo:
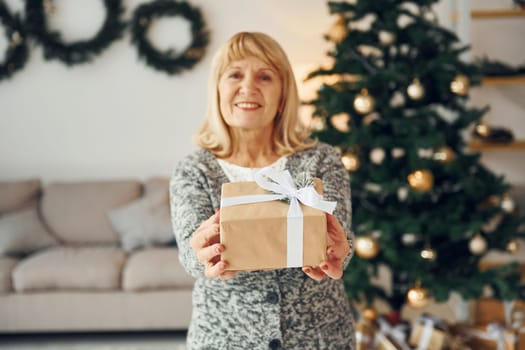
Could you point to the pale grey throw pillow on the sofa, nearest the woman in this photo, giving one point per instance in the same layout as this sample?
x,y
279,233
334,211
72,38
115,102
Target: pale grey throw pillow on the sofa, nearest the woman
x,y
146,221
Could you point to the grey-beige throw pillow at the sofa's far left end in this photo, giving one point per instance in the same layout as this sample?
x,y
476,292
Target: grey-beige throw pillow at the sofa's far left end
x,y
22,232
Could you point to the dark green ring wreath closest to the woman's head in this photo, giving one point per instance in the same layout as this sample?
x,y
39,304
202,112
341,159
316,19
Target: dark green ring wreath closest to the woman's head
x,y
168,61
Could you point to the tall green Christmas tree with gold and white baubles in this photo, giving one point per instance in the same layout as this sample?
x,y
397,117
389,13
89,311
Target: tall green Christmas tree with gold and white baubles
x,y
395,103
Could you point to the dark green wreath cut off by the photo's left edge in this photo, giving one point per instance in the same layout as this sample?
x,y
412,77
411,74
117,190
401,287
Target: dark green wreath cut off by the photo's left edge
x,y
17,52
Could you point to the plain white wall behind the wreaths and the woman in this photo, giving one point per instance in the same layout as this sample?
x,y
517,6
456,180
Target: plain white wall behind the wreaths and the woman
x,y
116,117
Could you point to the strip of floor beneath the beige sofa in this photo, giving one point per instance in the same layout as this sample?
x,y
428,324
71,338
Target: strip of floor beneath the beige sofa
x,y
98,341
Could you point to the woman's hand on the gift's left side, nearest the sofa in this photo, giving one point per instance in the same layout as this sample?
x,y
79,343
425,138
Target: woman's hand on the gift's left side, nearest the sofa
x,y
205,243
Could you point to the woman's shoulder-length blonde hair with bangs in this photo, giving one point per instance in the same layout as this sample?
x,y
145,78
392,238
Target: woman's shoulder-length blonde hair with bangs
x,y
289,135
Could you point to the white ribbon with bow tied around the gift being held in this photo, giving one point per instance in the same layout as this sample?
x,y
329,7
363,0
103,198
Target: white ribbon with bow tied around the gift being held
x,y
283,187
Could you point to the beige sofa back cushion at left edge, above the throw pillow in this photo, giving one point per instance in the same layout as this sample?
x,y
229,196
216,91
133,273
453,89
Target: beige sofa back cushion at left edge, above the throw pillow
x,y
17,195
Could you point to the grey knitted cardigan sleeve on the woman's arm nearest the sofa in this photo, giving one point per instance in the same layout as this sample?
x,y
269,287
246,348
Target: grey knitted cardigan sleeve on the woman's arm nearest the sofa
x,y
190,204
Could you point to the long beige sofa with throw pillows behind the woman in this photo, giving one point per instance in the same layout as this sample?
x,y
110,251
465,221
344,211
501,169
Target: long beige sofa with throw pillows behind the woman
x,y
89,256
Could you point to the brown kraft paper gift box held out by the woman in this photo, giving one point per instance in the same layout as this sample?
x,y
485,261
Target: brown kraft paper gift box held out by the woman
x,y
256,235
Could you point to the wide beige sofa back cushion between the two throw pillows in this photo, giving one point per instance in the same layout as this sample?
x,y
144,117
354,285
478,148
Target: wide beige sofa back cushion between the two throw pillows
x,y
76,212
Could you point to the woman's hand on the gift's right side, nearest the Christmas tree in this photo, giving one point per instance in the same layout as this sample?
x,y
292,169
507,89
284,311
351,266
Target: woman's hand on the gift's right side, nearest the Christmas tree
x,y
336,251
